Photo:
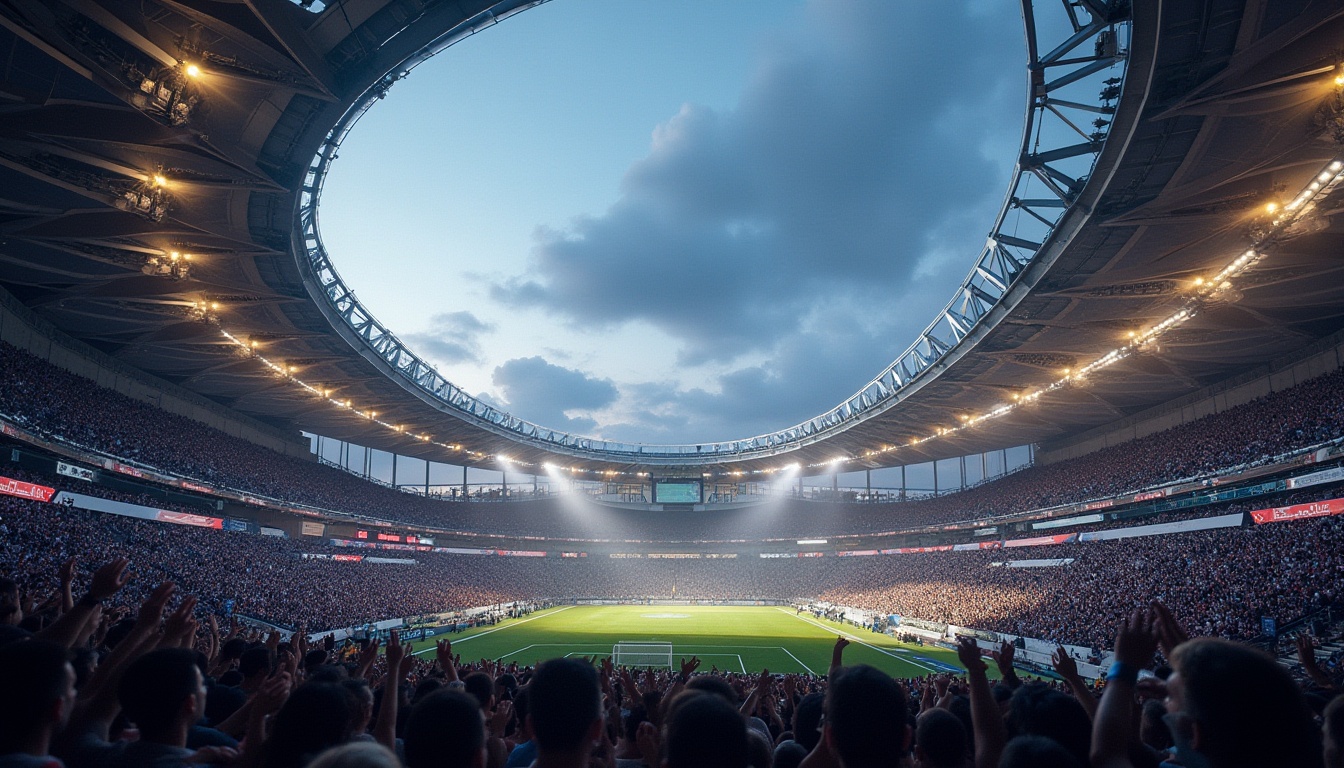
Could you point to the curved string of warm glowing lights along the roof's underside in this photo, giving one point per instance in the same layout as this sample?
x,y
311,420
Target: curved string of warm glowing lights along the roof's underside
x,y
1322,185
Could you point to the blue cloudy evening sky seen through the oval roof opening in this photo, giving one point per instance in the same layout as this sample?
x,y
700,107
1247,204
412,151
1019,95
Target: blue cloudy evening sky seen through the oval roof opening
x,y
681,223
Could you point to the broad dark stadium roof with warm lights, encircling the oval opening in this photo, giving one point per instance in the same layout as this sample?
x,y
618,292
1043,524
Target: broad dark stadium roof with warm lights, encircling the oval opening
x,y
162,162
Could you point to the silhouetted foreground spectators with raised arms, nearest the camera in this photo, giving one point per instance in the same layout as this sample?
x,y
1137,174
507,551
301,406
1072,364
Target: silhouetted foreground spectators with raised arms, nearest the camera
x,y
155,688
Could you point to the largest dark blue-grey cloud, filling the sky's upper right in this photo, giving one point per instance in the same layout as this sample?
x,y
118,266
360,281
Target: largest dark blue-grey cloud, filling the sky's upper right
x,y
849,166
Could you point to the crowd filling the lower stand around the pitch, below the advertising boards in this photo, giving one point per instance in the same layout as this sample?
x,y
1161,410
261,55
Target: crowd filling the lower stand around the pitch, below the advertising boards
x,y
1229,579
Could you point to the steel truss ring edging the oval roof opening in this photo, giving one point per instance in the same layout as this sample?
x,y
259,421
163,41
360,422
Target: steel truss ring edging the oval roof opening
x,y
1077,54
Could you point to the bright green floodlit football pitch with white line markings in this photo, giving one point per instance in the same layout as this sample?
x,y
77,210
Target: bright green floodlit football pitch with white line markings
x,y
729,638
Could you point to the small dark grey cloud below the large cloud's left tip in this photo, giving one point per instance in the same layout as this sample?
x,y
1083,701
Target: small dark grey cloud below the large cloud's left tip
x,y
550,392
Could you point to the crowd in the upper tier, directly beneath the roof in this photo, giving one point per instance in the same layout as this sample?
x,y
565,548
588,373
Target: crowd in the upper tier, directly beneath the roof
x,y
75,410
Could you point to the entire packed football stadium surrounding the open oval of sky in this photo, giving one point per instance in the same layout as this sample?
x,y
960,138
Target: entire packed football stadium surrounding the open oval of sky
x,y
247,523
